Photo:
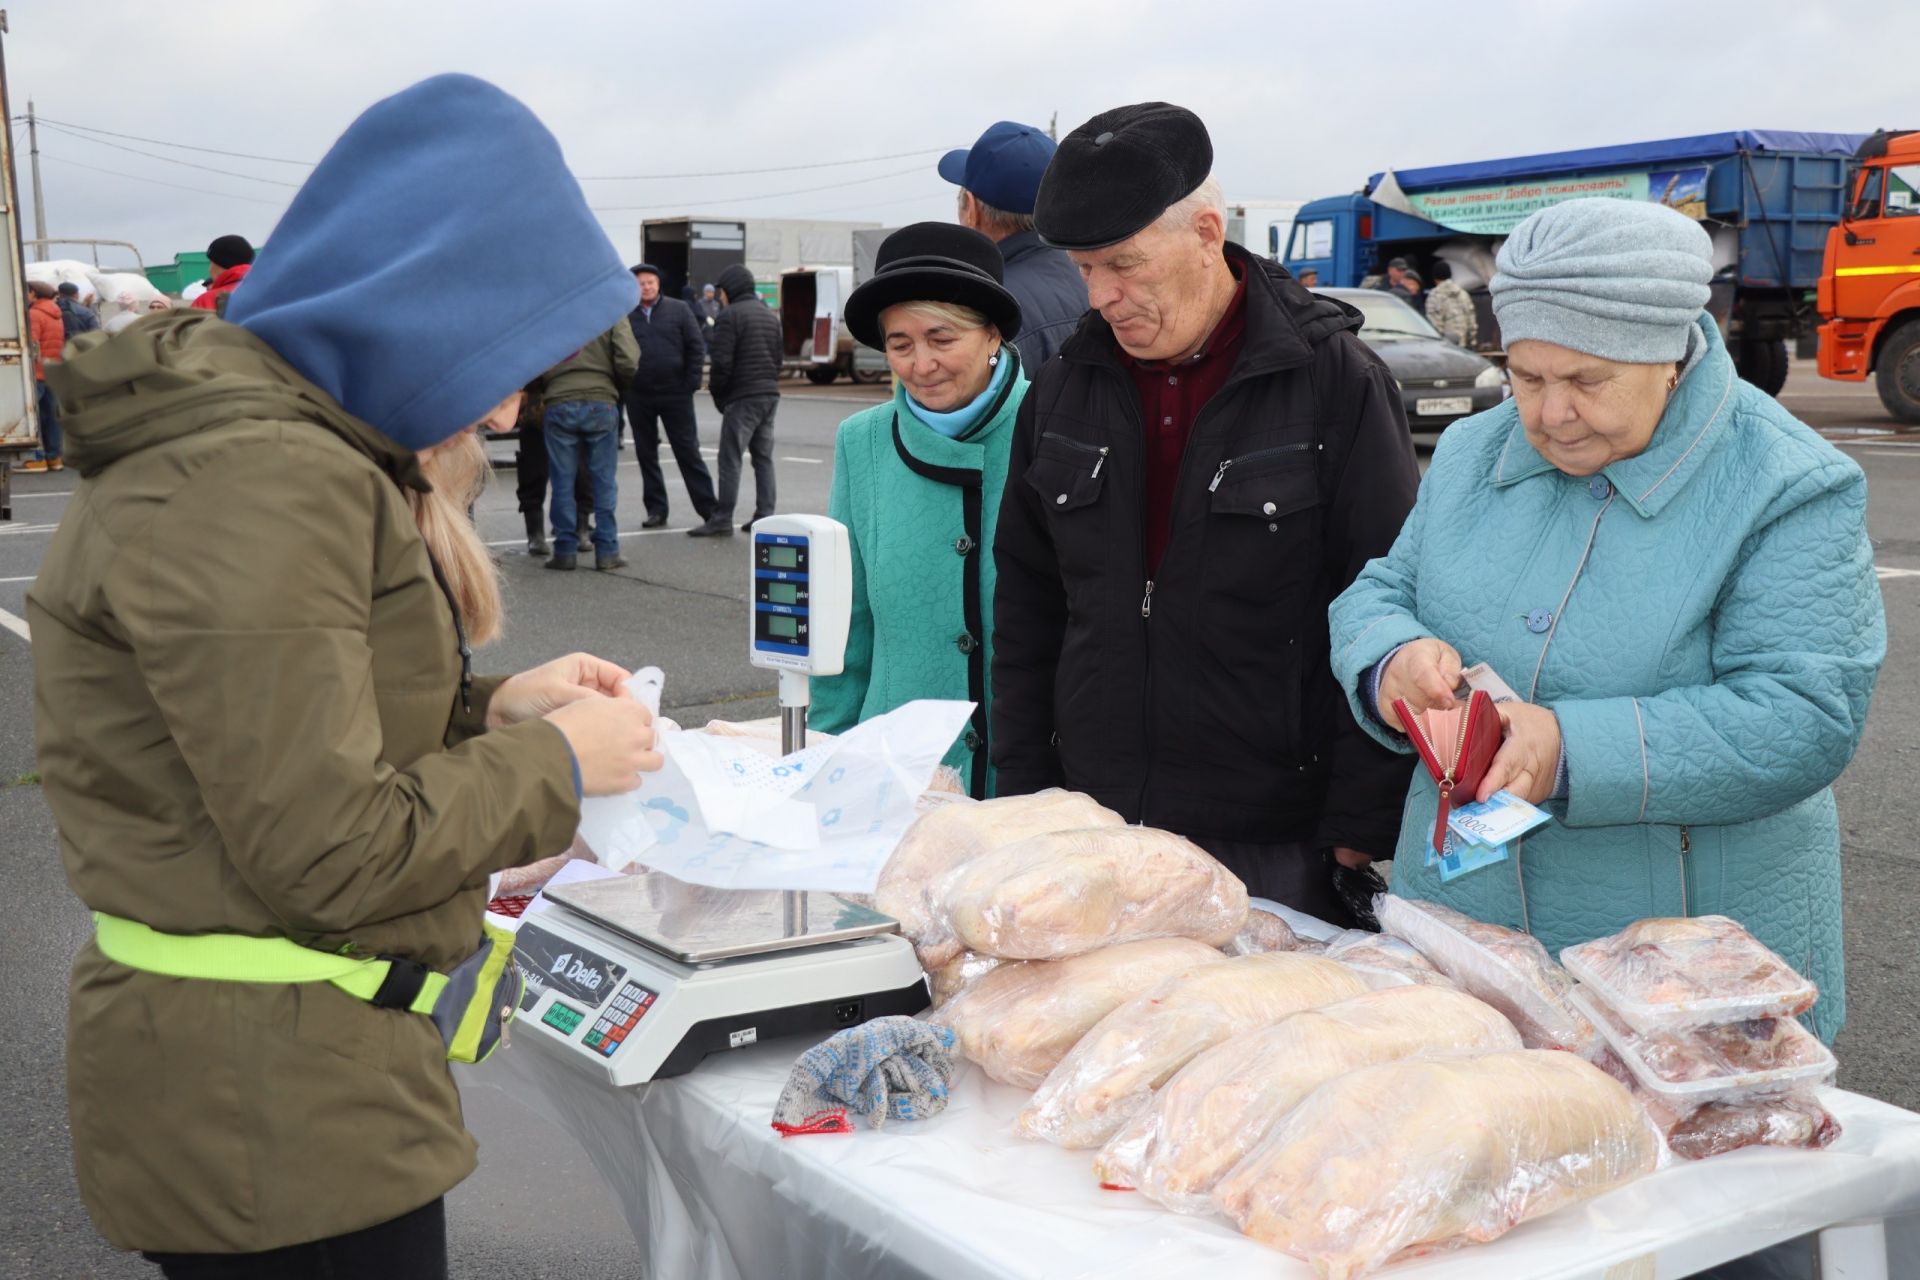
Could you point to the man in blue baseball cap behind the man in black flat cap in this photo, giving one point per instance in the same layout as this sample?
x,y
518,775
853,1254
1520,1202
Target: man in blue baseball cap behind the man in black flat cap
x,y
999,178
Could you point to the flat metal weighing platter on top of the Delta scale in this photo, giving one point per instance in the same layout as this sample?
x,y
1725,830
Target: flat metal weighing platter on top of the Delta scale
x,y
696,924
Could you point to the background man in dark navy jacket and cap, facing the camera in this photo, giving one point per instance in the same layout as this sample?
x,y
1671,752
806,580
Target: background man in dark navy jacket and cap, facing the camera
x,y
673,352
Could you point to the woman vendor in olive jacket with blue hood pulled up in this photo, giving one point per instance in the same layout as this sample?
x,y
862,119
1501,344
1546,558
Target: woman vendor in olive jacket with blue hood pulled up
x,y
254,709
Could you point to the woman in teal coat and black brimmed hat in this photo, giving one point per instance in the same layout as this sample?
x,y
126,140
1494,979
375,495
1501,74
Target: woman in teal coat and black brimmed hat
x,y
919,485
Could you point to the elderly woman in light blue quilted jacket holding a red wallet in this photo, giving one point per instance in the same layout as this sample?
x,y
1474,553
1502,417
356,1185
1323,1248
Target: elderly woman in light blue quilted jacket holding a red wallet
x,y
1675,579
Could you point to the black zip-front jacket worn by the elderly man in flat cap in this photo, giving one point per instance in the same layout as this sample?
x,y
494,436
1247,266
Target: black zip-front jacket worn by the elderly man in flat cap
x,y
1203,701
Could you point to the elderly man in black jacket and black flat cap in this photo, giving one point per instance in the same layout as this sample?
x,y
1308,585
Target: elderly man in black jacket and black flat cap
x,y
1212,458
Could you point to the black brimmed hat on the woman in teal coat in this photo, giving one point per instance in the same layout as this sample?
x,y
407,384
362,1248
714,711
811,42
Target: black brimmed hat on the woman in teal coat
x,y
934,262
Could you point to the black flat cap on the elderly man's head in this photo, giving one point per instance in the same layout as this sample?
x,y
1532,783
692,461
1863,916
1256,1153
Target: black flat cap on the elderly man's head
x,y
1120,172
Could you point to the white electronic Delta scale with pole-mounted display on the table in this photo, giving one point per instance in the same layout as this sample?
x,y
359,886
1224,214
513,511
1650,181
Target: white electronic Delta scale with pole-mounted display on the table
x,y
640,978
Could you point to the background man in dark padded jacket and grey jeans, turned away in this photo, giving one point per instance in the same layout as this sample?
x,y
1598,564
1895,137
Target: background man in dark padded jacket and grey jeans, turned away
x,y
746,387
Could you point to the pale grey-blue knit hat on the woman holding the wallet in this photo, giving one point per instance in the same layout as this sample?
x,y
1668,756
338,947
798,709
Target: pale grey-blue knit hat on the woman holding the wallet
x,y
1618,279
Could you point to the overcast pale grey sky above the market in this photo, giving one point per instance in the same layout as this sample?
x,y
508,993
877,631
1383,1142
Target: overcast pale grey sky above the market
x,y
1303,99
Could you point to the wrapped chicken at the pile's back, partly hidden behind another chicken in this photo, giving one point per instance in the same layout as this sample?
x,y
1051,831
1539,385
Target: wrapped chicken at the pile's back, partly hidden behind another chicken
x,y
953,836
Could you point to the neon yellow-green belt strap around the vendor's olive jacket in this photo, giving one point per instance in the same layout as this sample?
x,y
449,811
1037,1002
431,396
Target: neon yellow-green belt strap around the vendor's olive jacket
x,y
233,959
